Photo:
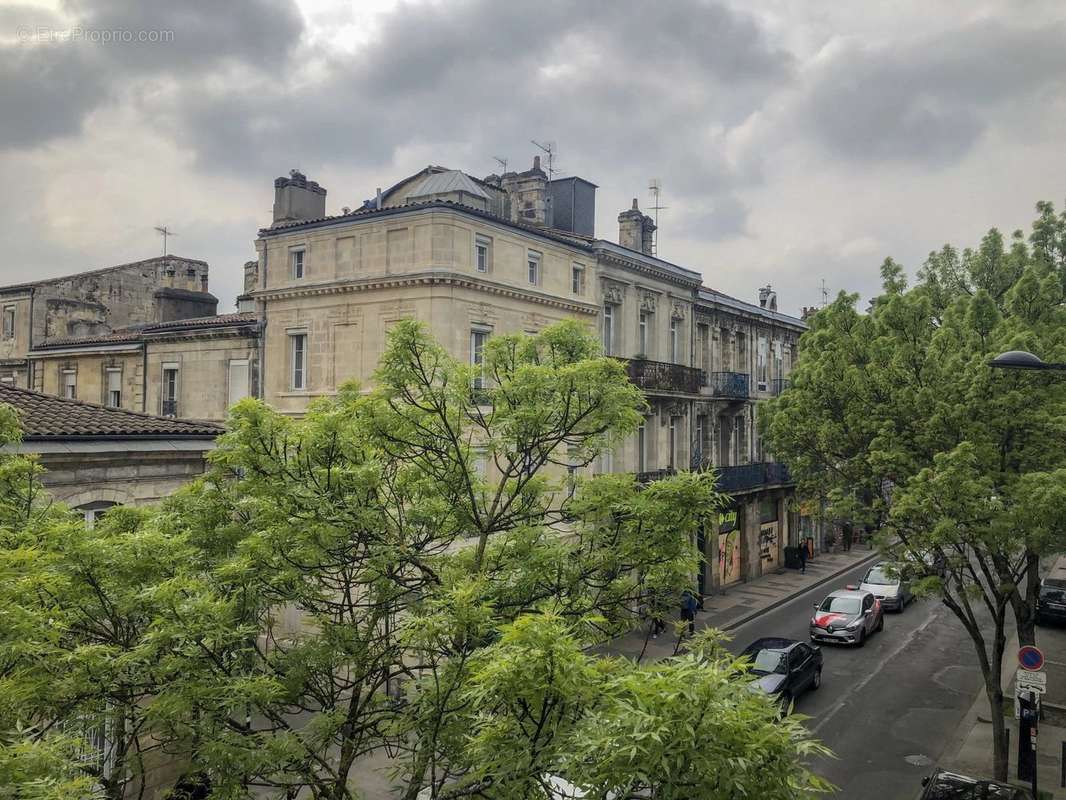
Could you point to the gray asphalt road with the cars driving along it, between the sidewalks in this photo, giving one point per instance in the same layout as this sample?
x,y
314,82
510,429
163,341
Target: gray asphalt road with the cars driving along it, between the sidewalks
x,y
890,710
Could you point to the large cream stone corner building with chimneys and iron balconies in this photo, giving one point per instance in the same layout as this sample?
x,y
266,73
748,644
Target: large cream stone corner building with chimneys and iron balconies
x,y
473,258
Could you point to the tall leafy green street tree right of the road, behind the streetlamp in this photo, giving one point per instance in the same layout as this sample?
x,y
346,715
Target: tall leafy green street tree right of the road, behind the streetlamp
x,y
897,421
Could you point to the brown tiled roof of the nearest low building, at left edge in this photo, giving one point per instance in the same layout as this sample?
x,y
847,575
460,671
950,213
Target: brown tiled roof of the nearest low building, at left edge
x,y
46,418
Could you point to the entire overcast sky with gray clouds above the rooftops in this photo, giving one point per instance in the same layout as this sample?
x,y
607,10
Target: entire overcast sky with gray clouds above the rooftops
x,y
796,141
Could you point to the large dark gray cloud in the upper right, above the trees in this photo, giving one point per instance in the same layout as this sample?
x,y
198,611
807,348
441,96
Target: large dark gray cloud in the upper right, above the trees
x,y
929,100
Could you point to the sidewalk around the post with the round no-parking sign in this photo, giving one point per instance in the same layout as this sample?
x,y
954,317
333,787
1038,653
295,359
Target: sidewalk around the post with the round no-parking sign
x,y
971,750
